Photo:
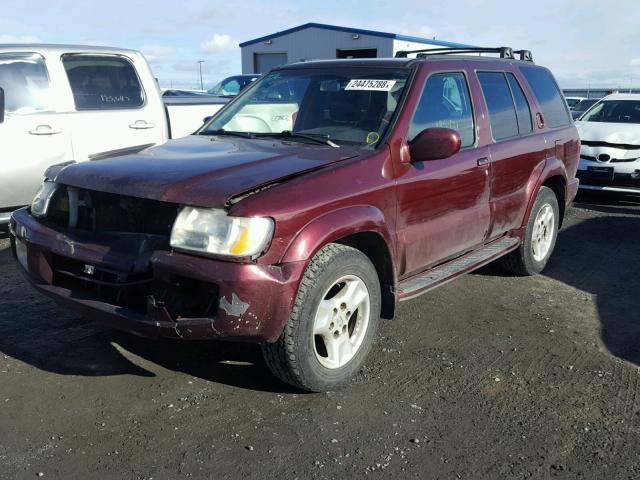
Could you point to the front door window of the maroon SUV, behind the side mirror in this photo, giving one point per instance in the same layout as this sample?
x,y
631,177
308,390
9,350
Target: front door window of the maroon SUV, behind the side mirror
x,y
445,103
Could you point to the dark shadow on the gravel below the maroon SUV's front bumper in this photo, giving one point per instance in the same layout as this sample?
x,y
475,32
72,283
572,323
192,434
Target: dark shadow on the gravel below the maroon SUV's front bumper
x,y
36,331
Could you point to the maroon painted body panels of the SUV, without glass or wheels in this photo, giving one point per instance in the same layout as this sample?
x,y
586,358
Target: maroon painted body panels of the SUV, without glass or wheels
x,y
425,211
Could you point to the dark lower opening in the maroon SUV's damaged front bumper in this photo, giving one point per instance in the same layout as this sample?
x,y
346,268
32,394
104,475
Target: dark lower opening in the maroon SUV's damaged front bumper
x,y
182,297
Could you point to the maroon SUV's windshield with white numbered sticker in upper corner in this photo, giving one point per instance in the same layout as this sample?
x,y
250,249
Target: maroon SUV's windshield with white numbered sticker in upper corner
x,y
351,106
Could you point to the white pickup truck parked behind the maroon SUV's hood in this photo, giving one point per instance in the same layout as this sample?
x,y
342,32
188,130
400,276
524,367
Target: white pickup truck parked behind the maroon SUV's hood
x,y
61,103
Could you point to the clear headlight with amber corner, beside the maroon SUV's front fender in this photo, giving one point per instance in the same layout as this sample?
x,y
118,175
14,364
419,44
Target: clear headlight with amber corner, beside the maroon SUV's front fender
x,y
213,231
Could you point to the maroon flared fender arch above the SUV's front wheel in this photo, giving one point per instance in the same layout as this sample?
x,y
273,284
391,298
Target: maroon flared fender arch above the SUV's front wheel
x,y
333,226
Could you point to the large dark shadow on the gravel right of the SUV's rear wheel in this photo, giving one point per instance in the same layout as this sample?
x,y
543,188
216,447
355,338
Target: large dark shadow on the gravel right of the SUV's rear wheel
x,y
601,256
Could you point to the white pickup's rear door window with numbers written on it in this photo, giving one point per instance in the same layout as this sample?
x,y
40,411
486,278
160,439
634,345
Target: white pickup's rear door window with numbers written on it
x,y
103,82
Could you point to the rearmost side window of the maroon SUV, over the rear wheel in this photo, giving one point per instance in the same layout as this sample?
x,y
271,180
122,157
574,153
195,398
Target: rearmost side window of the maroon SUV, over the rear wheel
x,y
548,94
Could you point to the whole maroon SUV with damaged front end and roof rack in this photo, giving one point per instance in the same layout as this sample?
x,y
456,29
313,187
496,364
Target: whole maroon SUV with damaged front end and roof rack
x,y
304,210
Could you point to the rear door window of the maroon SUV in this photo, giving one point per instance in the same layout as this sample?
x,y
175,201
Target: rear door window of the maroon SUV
x,y
502,112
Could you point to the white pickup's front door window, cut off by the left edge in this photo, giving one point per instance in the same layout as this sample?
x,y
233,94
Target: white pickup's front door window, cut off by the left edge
x,y
25,82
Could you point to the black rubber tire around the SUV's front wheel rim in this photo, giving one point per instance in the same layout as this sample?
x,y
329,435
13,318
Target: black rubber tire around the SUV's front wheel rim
x,y
292,358
